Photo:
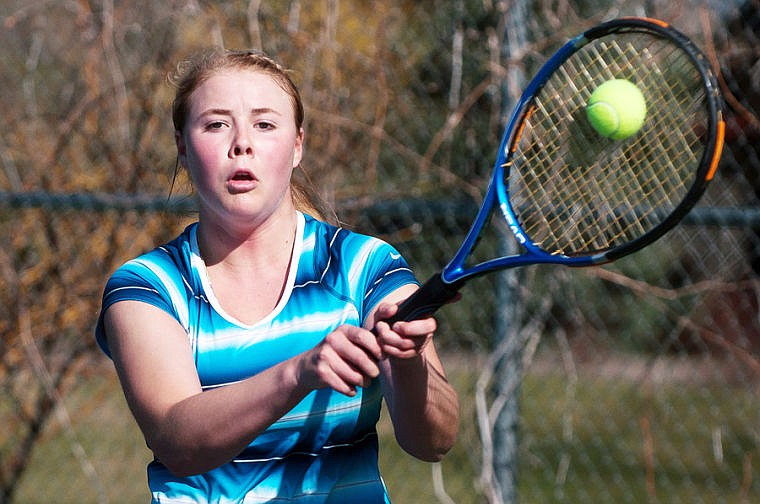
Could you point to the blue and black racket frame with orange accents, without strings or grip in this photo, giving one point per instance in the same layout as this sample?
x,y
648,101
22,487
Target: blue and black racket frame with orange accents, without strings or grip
x,y
498,191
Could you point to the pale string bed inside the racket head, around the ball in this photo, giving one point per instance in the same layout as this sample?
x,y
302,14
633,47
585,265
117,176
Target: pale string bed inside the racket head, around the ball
x,y
577,193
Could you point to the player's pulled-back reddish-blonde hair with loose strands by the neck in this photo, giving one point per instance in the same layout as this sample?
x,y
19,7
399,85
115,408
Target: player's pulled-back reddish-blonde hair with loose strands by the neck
x,y
192,73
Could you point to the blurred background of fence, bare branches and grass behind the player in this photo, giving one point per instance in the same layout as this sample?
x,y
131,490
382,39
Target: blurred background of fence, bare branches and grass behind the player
x,y
632,382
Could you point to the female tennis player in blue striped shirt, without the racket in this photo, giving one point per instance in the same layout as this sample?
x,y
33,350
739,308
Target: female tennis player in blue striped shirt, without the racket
x,y
251,348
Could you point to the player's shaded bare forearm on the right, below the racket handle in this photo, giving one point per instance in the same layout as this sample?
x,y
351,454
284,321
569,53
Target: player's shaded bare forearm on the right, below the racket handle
x,y
423,405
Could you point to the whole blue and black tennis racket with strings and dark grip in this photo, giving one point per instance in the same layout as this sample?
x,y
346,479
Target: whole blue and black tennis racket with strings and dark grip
x,y
571,196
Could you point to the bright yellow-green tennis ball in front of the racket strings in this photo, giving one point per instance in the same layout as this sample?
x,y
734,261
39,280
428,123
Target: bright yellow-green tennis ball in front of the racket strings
x,y
616,109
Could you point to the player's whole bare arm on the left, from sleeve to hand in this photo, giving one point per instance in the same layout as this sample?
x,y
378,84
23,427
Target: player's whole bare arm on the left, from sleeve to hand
x,y
192,431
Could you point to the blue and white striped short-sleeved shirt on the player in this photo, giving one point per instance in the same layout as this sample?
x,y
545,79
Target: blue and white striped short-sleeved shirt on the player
x,y
325,449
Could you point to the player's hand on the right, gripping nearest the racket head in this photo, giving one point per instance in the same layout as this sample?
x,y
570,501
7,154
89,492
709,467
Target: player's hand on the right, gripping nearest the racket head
x,y
404,340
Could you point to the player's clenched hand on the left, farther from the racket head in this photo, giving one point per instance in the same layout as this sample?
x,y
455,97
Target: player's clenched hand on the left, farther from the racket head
x,y
344,360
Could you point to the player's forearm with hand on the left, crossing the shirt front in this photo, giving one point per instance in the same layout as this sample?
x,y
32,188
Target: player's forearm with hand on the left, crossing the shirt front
x,y
205,430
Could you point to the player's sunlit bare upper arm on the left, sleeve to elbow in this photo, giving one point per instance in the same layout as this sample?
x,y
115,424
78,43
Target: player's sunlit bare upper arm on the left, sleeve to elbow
x,y
153,359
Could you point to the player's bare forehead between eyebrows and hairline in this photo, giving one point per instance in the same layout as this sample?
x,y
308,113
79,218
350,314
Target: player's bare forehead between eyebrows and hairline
x,y
240,87
